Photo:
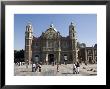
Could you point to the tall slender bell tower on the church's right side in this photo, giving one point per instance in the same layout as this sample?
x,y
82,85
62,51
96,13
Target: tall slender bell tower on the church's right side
x,y
72,35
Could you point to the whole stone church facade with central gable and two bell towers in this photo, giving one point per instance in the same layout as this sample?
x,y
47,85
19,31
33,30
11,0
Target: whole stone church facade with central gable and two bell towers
x,y
51,46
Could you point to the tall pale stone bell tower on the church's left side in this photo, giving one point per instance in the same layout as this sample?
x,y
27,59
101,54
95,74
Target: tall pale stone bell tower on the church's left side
x,y
28,43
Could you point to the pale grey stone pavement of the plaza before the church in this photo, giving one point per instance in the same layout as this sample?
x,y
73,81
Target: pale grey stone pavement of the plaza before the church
x,y
49,70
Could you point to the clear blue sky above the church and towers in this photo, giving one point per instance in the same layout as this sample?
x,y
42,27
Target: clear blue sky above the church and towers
x,y
86,26
